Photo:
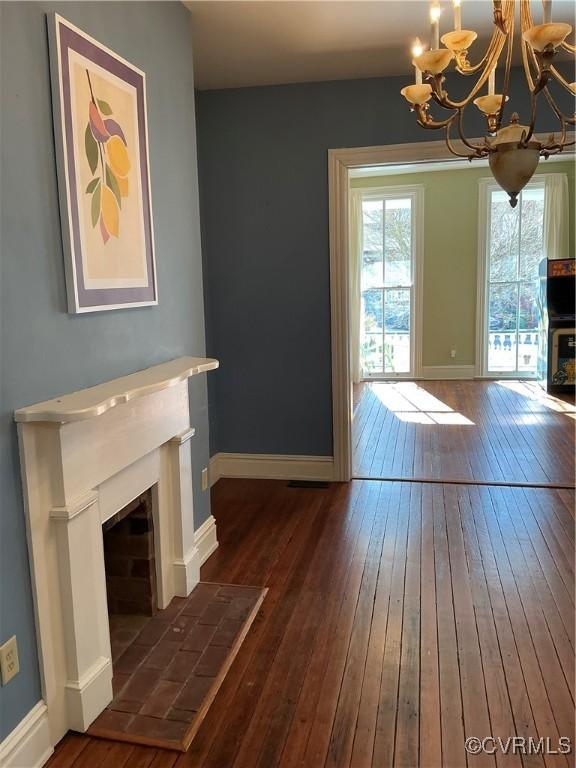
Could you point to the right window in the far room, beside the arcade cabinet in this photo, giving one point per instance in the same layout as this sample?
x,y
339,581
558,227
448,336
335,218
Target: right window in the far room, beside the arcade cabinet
x,y
513,250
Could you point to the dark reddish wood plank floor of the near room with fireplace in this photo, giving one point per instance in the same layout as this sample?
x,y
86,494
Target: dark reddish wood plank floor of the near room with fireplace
x,y
401,618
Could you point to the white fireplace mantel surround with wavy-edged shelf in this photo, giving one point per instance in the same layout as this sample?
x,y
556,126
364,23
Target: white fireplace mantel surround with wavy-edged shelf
x,y
84,456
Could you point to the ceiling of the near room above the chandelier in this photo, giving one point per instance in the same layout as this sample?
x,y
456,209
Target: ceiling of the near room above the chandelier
x,y
240,43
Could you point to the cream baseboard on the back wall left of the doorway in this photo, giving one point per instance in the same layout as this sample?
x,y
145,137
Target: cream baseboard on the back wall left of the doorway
x,y
264,466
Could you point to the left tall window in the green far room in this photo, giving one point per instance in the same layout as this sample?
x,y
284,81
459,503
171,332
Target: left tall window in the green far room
x,y
387,282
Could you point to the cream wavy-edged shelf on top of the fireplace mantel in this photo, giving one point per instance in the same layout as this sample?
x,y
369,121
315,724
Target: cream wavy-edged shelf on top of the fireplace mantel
x,y
88,403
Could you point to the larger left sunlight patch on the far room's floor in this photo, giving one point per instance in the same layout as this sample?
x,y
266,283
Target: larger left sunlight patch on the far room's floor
x,y
413,404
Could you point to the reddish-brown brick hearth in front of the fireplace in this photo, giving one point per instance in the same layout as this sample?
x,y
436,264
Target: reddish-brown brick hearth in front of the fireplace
x,y
166,679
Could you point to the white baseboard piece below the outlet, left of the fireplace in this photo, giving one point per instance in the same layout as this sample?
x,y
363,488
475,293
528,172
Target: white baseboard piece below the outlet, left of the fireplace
x,y
29,744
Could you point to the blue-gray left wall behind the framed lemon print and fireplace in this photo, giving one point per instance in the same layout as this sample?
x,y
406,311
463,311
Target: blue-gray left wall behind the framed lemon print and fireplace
x,y
45,351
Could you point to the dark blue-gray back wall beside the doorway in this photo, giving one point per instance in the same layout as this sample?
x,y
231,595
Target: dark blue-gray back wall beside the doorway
x,y
264,207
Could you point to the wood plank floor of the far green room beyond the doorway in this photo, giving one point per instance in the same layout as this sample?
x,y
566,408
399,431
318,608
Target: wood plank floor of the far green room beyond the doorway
x,y
464,431
